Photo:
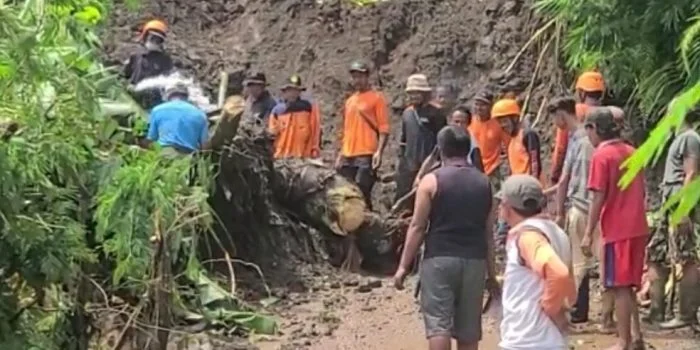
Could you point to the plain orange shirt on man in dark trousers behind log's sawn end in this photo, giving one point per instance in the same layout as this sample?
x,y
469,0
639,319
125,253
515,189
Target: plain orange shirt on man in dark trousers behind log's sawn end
x,y
365,116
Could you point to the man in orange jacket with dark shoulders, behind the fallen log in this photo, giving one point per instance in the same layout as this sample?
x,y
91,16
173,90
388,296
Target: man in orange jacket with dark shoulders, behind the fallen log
x,y
295,123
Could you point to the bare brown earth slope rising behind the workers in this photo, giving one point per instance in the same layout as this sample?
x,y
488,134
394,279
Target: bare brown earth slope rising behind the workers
x,y
467,43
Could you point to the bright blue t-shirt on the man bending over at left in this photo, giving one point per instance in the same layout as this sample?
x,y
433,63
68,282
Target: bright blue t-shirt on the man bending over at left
x,y
178,123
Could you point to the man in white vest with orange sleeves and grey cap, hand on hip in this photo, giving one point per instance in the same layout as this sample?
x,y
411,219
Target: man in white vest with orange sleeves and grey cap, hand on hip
x,y
538,285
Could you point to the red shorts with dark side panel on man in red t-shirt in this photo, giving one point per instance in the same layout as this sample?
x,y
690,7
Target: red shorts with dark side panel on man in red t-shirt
x,y
623,262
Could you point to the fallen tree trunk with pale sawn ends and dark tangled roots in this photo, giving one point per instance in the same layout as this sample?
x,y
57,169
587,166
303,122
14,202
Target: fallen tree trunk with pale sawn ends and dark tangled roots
x,y
274,210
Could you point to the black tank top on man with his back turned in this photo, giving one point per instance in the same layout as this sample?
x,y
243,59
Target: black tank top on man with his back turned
x,y
458,214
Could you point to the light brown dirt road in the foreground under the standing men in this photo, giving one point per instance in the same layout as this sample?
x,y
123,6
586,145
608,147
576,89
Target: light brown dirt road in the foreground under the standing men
x,y
368,314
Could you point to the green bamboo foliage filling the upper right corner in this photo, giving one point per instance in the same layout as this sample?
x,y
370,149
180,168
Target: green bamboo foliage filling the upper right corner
x,y
635,44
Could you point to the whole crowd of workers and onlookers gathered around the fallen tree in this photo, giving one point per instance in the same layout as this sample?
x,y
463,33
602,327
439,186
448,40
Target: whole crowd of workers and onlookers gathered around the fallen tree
x,y
451,156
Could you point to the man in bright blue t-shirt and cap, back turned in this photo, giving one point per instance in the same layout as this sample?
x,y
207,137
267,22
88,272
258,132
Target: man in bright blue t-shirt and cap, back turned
x,y
178,126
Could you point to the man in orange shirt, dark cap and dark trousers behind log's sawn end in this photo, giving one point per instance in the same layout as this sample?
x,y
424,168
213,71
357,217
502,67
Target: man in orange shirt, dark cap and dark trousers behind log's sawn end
x,y
364,132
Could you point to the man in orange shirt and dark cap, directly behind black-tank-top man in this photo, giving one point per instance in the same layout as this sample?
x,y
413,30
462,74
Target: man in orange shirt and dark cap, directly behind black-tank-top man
x,y
489,136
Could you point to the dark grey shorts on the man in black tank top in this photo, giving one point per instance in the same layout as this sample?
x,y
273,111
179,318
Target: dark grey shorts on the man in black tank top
x,y
452,291
